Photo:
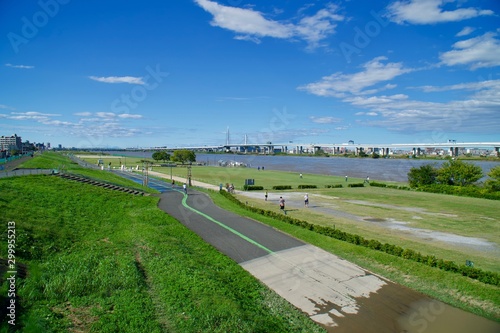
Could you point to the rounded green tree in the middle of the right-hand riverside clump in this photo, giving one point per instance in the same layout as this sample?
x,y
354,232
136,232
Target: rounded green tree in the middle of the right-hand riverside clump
x,y
458,173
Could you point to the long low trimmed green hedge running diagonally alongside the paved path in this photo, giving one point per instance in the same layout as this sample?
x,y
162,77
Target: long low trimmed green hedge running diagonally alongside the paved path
x,y
429,260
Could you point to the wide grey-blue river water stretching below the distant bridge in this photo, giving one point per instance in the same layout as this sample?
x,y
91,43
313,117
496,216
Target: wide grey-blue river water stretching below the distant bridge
x,y
385,169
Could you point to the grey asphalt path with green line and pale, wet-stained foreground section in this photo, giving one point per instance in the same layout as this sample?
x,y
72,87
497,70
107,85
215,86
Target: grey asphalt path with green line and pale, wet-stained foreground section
x,y
338,295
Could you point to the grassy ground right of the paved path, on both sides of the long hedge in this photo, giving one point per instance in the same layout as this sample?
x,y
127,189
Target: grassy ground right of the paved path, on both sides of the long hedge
x,y
464,216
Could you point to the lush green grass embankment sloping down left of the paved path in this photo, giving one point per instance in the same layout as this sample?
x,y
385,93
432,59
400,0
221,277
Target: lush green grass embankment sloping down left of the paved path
x,y
104,261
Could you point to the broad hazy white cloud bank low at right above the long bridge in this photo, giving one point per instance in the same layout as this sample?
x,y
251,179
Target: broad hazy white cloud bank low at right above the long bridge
x,y
476,112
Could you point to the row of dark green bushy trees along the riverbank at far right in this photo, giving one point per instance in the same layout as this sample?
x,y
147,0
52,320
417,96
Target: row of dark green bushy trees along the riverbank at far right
x,y
455,173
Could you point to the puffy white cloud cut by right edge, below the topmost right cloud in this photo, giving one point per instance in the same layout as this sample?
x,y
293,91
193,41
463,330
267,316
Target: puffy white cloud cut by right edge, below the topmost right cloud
x,y
478,52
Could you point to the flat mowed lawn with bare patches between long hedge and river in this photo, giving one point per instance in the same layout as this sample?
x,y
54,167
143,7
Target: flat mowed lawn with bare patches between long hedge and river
x,y
478,220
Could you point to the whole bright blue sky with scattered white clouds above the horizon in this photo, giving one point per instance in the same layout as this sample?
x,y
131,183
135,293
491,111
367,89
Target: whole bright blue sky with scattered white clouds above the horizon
x,y
176,73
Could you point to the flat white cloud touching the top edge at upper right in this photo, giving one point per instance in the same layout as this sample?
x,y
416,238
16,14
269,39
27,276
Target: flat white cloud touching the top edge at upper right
x,y
430,12
